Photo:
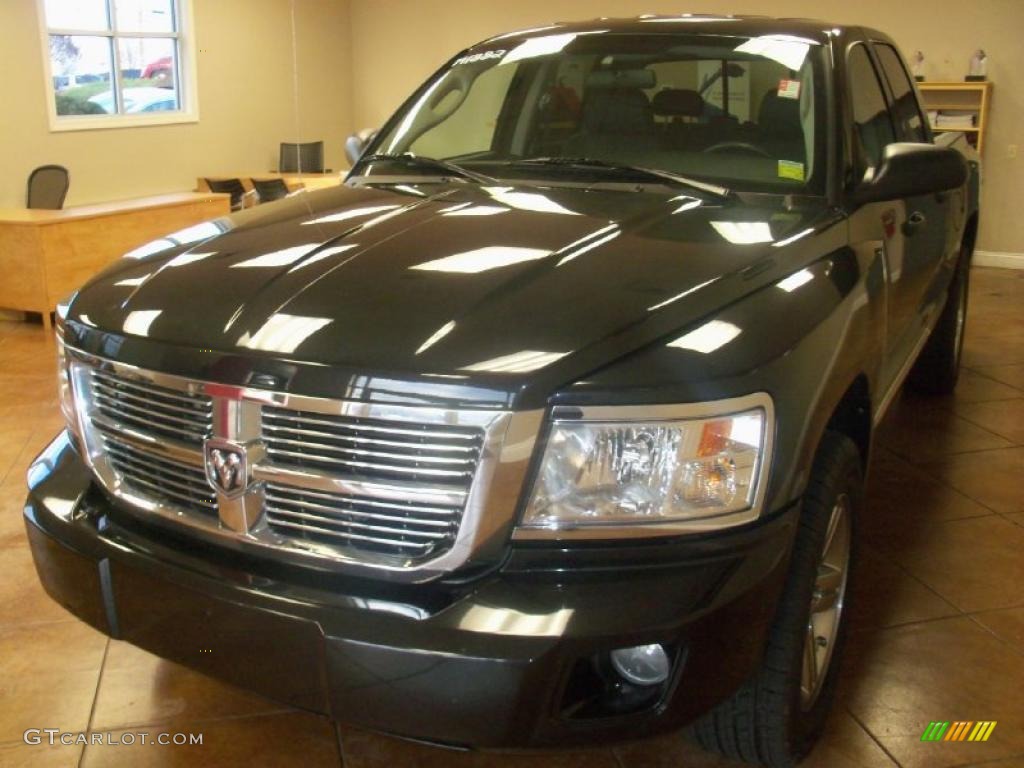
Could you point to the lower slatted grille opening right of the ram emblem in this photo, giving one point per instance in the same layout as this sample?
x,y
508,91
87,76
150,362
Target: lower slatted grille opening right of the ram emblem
x,y
365,524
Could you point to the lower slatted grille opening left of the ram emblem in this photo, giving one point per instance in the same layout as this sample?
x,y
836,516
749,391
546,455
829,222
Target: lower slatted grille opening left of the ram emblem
x,y
173,482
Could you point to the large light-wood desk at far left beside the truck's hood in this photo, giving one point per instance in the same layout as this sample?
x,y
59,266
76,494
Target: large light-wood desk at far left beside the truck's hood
x,y
46,255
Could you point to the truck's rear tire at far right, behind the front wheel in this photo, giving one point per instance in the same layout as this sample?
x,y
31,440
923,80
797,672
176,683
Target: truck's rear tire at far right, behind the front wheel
x,y
937,369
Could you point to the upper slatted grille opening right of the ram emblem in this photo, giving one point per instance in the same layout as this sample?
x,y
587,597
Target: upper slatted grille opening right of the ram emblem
x,y
373,449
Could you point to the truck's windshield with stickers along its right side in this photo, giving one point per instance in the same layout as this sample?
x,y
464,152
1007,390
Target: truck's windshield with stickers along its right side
x,y
743,113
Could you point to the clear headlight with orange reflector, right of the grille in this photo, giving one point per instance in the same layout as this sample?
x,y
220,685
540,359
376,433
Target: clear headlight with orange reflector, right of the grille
x,y
645,472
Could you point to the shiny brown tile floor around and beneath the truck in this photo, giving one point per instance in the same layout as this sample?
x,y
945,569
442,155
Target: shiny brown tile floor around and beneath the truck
x,y
938,619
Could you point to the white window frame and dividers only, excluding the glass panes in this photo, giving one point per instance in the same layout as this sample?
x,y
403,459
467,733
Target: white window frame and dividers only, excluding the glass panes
x,y
184,37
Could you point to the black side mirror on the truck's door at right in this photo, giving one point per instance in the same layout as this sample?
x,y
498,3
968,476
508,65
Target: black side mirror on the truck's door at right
x,y
911,169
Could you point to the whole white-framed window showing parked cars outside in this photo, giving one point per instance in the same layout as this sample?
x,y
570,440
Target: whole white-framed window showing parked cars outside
x,y
116,63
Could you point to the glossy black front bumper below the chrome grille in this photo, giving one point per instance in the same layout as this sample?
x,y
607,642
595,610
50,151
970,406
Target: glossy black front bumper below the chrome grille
x,y
500,661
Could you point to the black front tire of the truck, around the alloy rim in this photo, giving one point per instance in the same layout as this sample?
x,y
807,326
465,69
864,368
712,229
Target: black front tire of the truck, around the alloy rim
x,y
769,722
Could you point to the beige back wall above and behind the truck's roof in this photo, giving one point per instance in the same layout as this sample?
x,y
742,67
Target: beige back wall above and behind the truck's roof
x,y
397,44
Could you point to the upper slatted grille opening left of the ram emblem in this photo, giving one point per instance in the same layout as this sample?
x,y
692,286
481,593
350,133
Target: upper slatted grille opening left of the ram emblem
x,y
152,409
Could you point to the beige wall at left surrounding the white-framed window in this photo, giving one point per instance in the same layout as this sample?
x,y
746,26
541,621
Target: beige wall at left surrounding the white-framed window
x,y
246,95
